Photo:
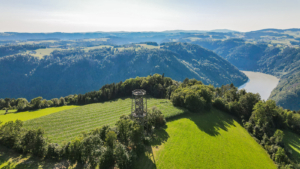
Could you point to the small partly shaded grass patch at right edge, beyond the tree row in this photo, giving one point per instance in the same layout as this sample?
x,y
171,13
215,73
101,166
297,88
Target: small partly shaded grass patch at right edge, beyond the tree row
x,y
292,141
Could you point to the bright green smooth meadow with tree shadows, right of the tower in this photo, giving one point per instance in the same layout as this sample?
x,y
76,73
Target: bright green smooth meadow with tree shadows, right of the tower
x,y
205,140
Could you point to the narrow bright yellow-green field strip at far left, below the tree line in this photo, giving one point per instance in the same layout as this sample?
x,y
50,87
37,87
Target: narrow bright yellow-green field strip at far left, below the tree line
x,y
27,115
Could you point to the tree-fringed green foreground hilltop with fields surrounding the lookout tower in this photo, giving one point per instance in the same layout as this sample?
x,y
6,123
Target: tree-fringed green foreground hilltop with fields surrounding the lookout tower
x,y
196,134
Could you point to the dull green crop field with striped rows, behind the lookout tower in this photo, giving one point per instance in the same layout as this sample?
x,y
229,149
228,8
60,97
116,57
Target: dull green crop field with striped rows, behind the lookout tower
x,y
68,124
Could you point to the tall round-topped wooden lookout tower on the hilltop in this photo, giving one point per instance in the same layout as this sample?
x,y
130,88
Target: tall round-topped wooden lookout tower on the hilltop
x,y
139,105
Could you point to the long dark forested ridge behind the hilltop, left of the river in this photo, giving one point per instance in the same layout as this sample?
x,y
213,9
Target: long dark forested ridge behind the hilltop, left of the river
x,y
76,71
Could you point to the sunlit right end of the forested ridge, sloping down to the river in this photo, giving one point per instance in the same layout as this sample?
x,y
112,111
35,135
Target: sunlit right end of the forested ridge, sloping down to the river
x,y
205,64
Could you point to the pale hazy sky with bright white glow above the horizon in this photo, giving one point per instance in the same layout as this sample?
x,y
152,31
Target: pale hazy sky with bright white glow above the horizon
x,y
146,15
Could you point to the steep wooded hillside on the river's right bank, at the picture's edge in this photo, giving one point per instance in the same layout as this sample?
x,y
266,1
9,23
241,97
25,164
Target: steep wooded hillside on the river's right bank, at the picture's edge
x,y
287,66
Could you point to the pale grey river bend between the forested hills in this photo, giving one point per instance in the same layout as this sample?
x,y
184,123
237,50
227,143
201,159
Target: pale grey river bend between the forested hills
x,y
260,83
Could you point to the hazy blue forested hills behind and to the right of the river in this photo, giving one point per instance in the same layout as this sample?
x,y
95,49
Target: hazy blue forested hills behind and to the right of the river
x,y
281,62
